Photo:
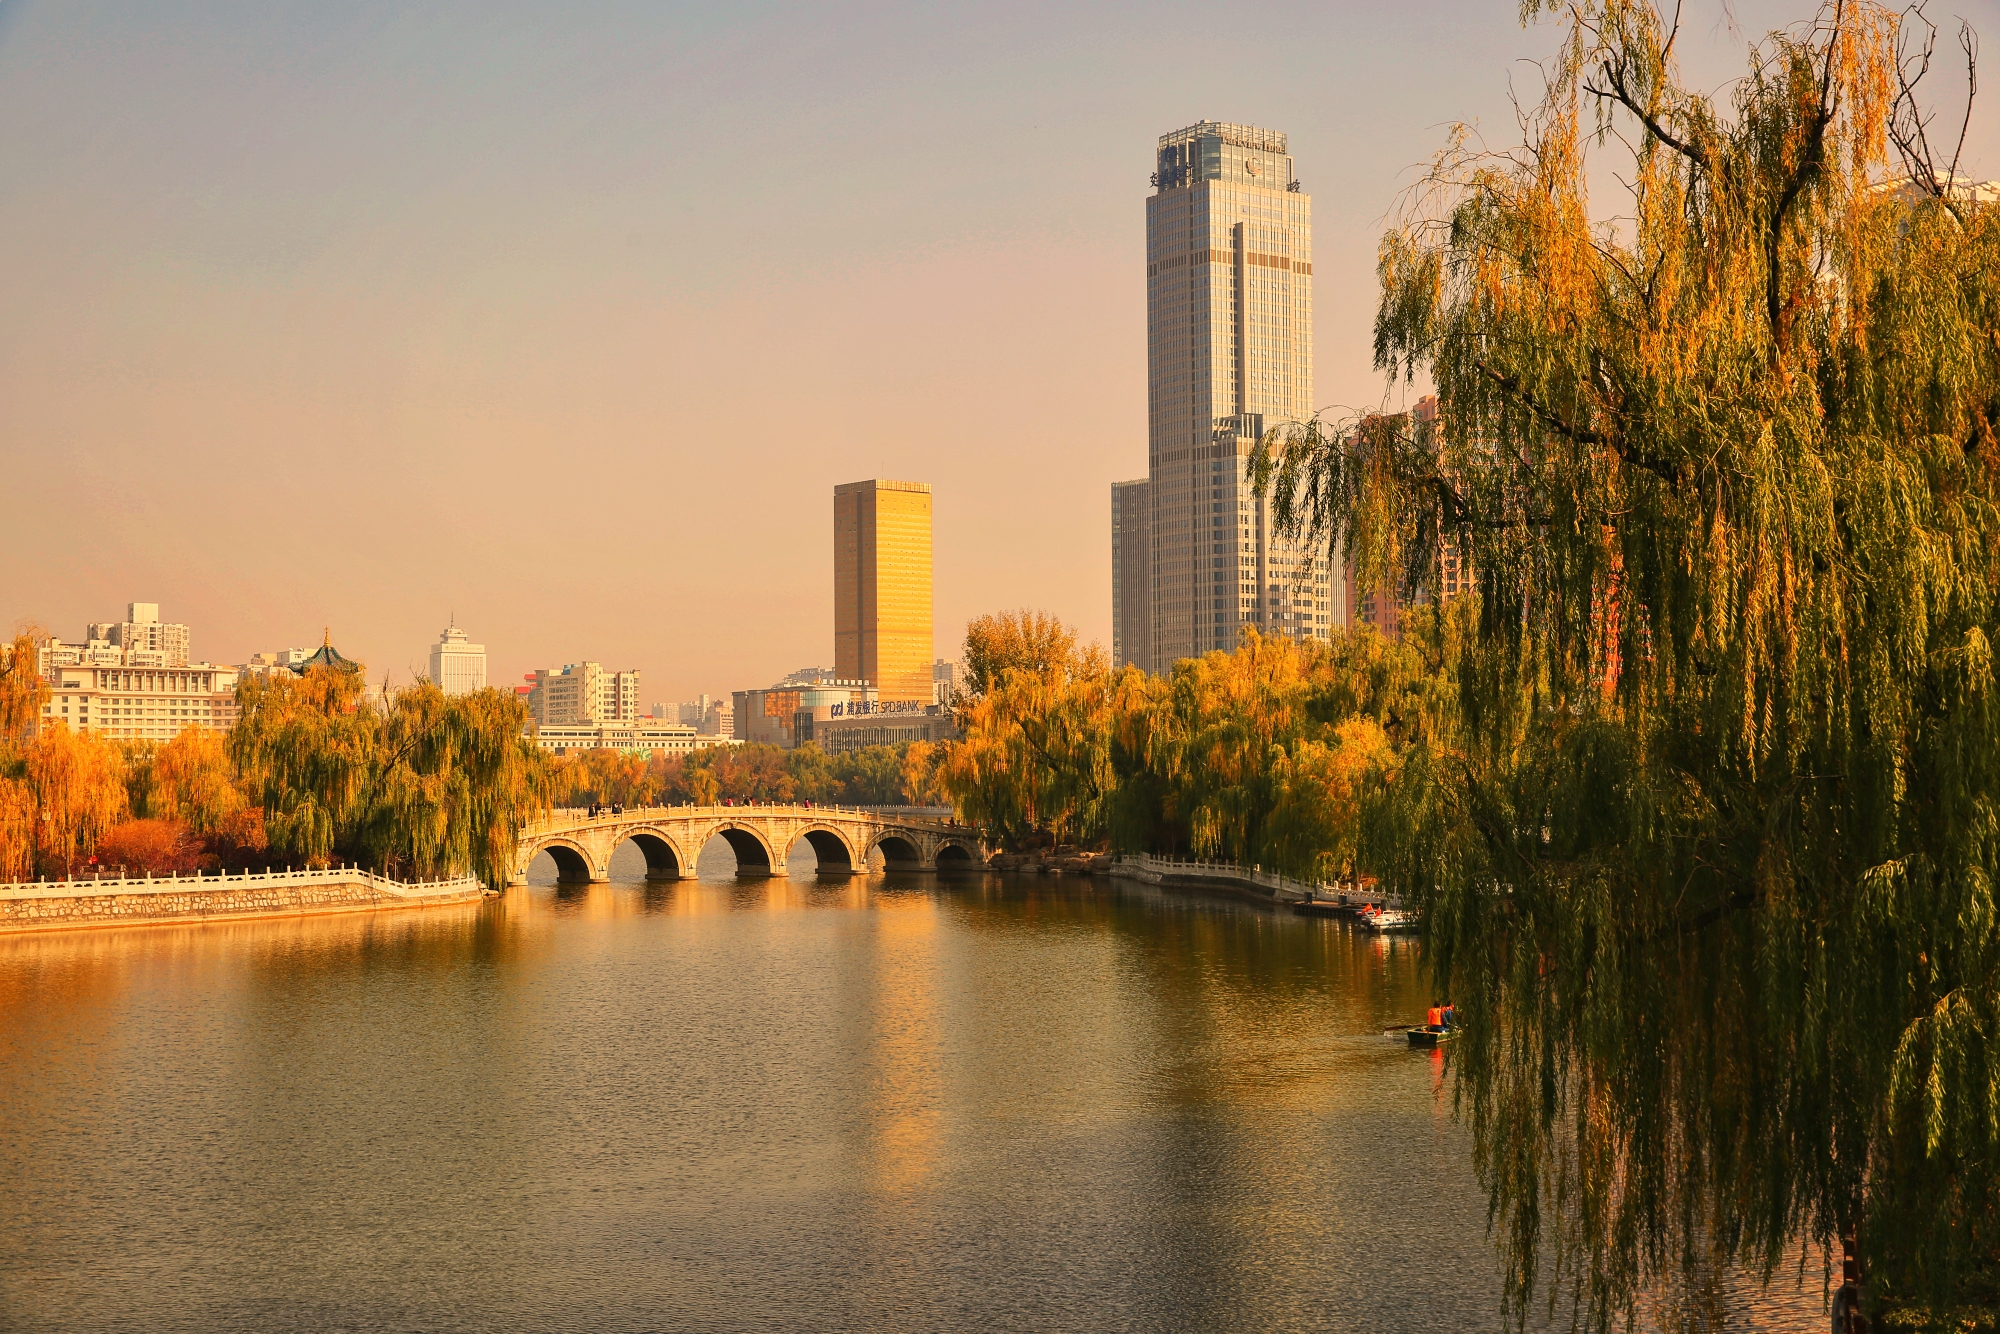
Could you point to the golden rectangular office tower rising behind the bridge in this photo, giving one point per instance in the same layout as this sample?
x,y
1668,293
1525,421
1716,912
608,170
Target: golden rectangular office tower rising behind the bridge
x,y
883,587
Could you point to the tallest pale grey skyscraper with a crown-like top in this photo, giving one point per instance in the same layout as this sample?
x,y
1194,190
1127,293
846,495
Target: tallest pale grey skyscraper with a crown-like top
x,y
1229,343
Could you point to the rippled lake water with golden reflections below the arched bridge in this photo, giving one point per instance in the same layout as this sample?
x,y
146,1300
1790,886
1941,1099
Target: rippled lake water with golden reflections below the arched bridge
x,y
795,1105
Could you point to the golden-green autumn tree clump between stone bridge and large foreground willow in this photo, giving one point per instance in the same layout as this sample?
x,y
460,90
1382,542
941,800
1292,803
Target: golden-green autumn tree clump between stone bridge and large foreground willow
x,y
1255,757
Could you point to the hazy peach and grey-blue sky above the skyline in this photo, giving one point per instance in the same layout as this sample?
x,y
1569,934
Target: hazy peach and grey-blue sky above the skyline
x,y
565,321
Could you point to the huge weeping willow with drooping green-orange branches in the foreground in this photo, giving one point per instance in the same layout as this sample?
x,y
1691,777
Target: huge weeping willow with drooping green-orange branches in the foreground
x,y
1705,821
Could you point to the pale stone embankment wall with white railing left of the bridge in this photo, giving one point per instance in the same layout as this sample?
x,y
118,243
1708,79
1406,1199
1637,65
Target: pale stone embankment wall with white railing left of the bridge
x,y
61,905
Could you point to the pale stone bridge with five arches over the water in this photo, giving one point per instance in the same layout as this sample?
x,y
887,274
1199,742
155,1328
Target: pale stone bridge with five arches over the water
x,y
763,837
